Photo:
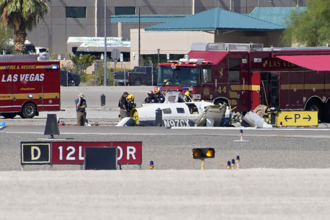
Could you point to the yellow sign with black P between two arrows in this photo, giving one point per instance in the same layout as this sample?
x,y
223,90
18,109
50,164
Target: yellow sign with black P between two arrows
x,y
297,118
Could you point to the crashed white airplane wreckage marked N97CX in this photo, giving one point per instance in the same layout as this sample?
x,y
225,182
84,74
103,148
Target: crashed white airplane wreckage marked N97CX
x,y
173,113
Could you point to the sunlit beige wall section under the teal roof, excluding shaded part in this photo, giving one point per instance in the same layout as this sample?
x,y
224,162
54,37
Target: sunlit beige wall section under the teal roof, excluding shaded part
x,y
172,42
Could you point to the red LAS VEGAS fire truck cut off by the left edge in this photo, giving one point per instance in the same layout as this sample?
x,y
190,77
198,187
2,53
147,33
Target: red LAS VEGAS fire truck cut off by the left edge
x,y
28,86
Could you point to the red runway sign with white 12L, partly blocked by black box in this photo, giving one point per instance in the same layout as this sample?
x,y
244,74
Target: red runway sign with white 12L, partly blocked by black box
x,y
73,152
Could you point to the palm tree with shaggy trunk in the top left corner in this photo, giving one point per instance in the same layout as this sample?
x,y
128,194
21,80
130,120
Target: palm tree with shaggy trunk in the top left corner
x,y
22,15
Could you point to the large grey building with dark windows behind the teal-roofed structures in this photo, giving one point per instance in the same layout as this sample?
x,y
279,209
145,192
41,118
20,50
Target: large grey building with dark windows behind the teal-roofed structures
x,y
85,18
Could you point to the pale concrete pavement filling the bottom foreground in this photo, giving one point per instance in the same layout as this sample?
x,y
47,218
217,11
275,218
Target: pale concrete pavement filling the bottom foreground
x,y
169,194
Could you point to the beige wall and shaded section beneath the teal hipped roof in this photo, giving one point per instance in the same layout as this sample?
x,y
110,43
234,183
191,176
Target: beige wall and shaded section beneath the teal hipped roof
x,y
179,42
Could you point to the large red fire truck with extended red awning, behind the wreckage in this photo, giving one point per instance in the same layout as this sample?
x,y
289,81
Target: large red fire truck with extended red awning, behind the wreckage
x,y
246,75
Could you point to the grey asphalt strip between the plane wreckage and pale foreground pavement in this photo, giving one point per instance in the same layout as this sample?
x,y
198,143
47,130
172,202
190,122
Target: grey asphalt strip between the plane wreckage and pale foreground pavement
x,y
171,148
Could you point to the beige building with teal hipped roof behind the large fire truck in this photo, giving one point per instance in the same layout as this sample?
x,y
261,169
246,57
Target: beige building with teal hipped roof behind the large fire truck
x,y
212,26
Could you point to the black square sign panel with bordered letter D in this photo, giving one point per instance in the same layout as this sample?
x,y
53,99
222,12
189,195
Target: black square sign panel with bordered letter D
x,y
35,153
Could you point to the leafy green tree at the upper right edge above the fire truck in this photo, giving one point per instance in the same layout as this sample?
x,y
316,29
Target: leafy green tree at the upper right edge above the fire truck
x,y
310,27
